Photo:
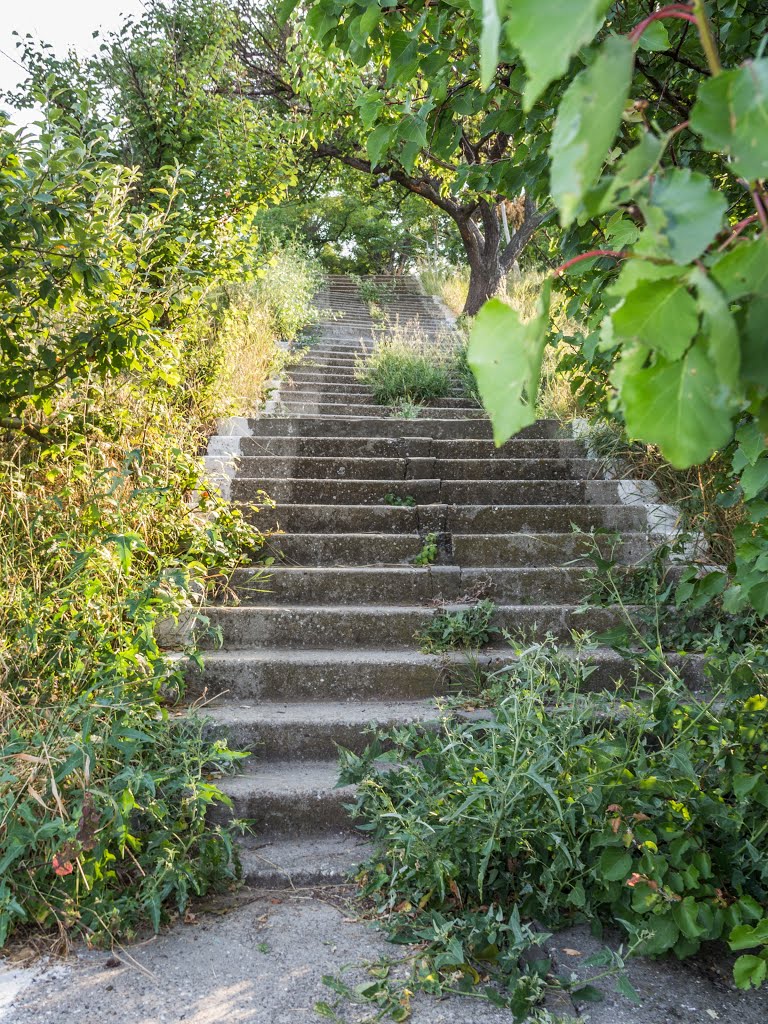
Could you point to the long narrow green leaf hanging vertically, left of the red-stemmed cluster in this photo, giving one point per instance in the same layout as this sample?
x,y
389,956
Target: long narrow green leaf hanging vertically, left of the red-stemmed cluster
x,y
587,122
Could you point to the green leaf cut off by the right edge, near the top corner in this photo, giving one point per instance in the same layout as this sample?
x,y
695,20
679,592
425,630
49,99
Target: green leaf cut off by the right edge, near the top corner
x,y
732,116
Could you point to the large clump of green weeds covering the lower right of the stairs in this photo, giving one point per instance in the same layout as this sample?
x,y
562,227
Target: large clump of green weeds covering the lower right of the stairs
x,y
646,812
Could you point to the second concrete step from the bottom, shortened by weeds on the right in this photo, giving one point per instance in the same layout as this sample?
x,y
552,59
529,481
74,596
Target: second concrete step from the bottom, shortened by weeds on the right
x,y
288,799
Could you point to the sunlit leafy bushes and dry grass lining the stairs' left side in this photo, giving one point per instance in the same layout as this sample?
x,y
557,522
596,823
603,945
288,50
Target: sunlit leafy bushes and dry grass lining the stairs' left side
x,y
117,356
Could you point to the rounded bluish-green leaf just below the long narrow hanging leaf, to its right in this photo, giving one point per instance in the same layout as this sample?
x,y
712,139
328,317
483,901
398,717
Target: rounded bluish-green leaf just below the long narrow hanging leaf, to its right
x,y
684,215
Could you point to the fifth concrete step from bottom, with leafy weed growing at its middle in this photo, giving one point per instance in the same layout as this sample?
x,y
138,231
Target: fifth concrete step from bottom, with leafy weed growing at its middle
x,y
360,626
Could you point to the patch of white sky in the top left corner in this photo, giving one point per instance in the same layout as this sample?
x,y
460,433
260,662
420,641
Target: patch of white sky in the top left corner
x,y
65,24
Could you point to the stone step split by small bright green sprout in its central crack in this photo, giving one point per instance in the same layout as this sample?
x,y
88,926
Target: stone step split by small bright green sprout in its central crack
x,y
396,548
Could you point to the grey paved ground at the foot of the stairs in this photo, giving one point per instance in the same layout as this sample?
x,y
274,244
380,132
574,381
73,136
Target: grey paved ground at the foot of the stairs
x,y
215,972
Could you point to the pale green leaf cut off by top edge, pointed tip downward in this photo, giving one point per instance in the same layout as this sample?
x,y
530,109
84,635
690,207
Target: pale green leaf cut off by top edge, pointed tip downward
x,y
536,29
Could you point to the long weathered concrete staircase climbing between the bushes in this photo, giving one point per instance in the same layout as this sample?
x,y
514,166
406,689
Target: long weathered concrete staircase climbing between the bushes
x,y
325,647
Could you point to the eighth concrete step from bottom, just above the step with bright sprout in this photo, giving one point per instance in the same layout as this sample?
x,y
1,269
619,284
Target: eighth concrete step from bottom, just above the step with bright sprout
x,y
324,517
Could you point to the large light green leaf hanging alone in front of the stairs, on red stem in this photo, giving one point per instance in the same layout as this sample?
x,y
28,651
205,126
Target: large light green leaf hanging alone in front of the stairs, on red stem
x,y
505,356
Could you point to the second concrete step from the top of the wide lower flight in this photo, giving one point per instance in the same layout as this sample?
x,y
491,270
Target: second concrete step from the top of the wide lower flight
x,y
411,448
